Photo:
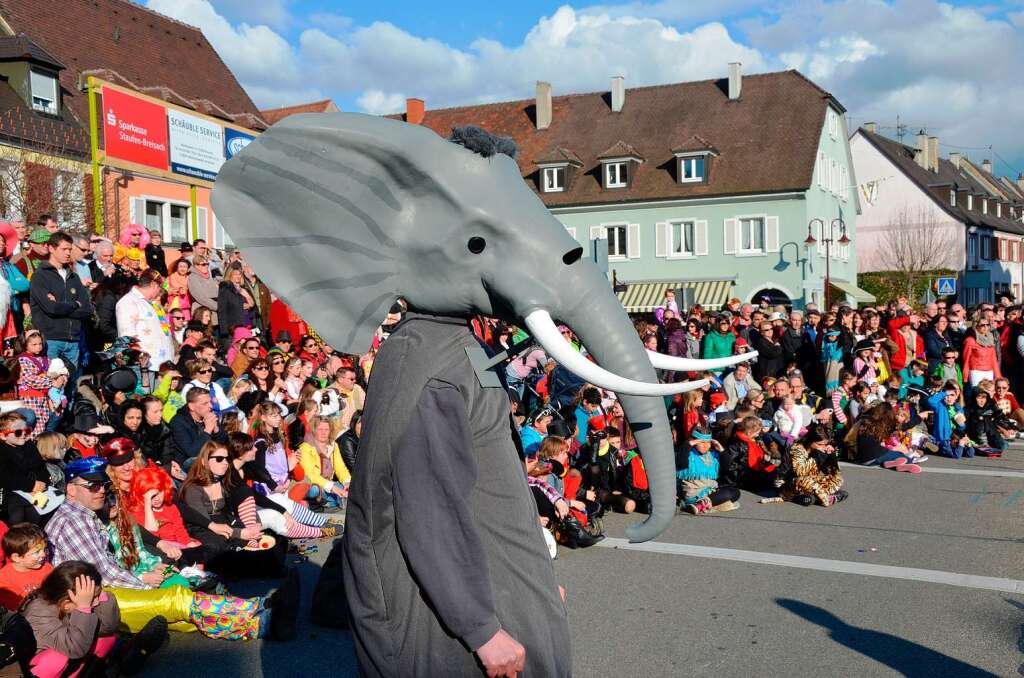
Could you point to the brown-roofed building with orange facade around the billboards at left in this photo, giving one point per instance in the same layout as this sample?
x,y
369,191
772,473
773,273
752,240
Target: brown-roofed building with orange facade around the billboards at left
x,y
61,44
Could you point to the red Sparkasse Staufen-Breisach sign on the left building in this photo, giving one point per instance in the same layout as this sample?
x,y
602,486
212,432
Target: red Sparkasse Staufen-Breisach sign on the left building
x,y
135,131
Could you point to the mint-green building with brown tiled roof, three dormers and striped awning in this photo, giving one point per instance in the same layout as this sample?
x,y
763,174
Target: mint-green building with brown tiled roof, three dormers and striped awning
x,y
707,186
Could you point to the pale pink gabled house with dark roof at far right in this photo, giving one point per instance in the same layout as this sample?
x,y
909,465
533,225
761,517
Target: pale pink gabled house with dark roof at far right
x,y
972,220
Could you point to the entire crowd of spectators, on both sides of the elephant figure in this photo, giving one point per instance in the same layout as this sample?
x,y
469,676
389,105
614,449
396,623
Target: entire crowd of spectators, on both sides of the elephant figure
x,y
169,426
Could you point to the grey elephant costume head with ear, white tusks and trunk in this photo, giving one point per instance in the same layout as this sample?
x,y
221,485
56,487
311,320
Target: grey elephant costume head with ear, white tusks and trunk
x,y
343,214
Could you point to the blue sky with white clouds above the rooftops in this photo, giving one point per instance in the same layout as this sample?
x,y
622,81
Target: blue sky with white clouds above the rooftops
x,y
953,68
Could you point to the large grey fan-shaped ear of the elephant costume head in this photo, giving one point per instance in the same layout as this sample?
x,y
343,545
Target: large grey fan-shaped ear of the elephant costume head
x,y
321,205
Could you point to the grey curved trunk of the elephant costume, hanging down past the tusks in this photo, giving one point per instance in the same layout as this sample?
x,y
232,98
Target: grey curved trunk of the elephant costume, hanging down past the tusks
x,y
607,332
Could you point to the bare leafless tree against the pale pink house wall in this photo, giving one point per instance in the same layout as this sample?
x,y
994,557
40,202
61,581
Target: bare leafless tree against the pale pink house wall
x,y
916,243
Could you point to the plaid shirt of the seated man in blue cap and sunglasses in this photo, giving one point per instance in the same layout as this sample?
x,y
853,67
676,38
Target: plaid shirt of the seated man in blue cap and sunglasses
x,y
76,534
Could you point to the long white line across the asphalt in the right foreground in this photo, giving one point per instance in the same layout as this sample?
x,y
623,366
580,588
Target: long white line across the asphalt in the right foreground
x,y
824,565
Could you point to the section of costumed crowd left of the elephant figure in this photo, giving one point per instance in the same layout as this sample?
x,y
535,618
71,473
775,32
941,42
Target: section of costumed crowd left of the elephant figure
x,y
167,427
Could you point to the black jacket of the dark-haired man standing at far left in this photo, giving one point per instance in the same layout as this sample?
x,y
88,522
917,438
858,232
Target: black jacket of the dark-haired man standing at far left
x,y
60,319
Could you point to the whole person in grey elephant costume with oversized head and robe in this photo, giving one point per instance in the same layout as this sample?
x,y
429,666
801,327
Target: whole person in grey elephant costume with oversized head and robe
x,y
446,568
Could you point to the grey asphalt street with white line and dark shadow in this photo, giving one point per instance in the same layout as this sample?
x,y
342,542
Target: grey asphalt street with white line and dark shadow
x,y
912,576
